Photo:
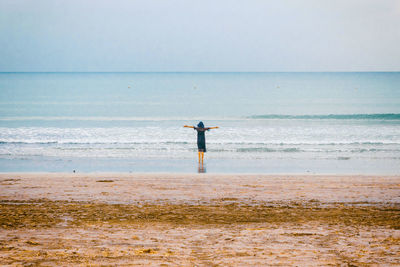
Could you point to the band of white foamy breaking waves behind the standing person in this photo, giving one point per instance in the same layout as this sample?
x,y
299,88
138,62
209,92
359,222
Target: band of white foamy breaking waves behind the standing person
x,y
243,140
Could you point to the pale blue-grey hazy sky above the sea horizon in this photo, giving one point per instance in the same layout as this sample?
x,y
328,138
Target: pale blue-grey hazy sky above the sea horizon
x,y
207,35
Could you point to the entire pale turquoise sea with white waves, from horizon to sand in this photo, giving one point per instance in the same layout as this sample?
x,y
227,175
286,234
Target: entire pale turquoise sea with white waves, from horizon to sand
x,y
133,122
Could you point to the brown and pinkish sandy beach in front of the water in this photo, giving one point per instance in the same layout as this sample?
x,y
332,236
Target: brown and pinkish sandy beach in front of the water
x,y
192,219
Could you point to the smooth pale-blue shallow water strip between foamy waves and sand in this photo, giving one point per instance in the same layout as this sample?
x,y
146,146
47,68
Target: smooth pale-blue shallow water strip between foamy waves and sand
x,y
212,165
